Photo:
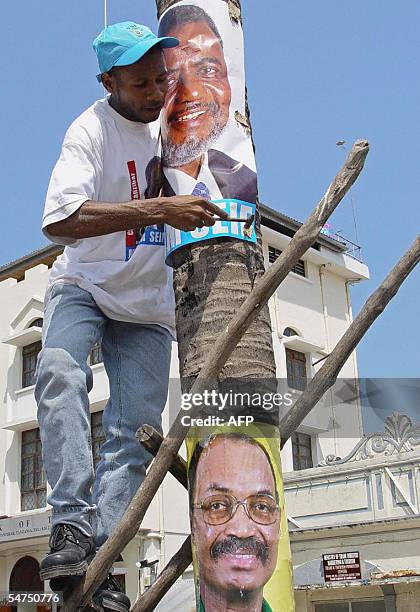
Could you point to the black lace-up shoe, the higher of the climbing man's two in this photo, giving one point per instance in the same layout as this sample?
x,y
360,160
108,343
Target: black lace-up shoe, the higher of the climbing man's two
x,y
70,554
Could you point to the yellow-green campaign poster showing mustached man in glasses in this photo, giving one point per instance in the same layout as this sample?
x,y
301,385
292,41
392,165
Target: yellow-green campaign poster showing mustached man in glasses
x,y
241,548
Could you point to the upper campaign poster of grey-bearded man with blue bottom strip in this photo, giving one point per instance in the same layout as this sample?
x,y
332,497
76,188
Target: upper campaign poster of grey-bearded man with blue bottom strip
x,y
206,145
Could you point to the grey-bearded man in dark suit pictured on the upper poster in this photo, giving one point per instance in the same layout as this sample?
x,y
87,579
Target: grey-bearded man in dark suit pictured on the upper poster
x,y
196,111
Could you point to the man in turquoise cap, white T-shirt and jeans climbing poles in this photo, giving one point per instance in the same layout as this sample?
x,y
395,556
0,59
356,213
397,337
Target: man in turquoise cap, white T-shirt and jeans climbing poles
x,y
109,285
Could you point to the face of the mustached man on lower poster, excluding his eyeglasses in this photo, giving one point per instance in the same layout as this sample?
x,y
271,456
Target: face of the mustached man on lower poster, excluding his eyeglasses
x,y
239,555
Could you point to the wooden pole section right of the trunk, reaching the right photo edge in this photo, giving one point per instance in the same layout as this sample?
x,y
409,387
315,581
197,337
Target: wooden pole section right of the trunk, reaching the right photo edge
x,y
327,374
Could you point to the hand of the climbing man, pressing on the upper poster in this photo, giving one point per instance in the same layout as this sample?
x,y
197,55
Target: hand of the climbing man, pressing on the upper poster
x,y
189,212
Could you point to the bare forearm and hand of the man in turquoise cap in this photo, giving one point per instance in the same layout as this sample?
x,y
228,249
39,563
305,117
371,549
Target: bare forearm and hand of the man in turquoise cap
x,y
100,218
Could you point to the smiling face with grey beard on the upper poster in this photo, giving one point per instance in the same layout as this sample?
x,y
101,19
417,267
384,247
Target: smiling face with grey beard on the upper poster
x,y
197,105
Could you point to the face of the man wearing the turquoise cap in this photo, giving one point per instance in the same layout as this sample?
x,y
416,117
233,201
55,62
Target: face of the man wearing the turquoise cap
x,y
138,91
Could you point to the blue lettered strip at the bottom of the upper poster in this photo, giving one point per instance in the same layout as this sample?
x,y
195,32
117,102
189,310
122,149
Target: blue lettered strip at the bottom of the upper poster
x,y
237,209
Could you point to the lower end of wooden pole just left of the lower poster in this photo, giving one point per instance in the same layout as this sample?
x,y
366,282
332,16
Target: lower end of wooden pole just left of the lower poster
x,y
175,568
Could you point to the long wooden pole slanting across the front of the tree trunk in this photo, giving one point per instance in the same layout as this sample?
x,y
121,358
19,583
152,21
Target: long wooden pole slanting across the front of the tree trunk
x,y
218,355
